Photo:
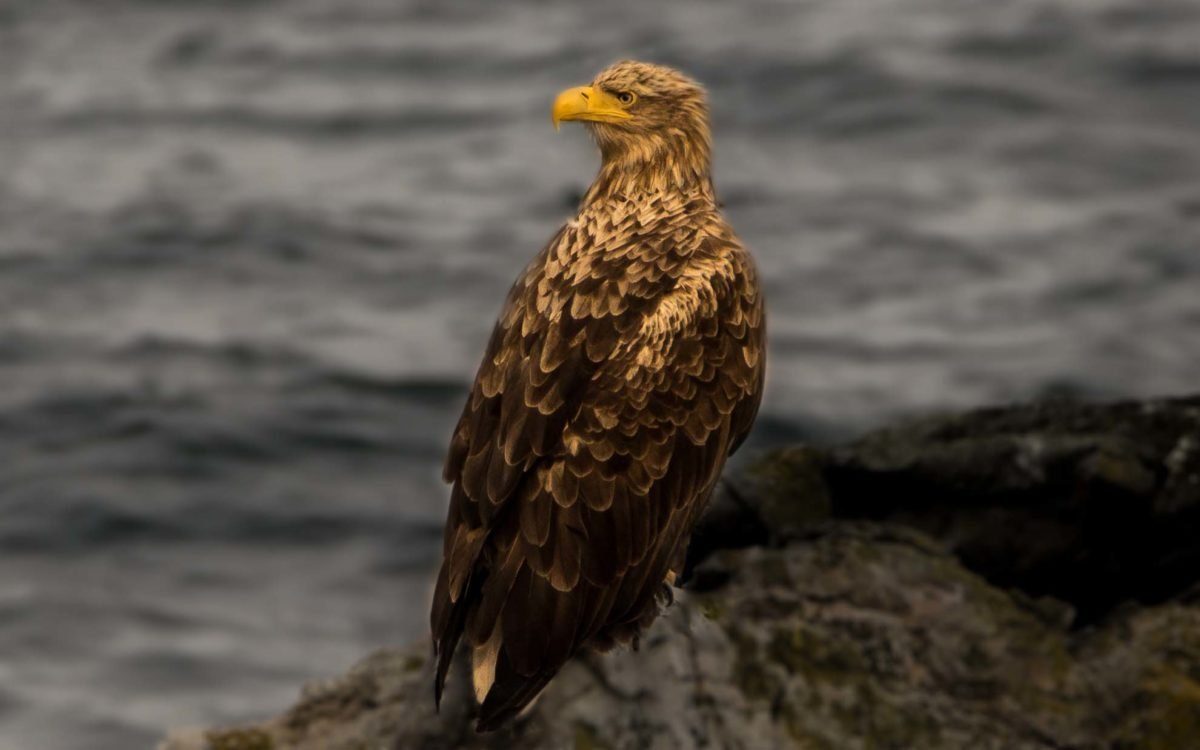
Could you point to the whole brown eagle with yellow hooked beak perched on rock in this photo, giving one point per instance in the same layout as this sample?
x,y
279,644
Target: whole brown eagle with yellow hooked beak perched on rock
x,y
627,365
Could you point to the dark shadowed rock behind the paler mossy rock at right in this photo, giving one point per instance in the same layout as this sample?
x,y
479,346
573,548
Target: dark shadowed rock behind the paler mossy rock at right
x,y
1091,503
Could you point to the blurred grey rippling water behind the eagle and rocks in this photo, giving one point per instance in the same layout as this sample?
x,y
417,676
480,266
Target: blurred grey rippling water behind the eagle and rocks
x,y
250,254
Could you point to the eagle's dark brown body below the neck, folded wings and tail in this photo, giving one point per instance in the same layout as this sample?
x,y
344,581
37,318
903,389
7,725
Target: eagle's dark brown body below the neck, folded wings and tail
x,y
599,422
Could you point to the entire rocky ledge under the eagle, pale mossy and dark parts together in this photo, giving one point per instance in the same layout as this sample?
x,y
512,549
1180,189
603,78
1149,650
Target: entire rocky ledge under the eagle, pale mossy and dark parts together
x,y
1012,578
